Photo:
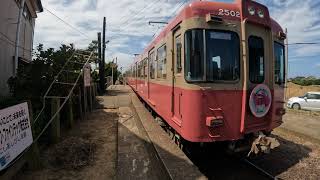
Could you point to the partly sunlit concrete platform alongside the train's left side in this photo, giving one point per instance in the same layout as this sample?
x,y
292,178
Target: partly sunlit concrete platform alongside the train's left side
x,y
145,151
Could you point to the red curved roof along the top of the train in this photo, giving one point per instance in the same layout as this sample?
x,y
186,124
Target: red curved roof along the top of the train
x,y
201,9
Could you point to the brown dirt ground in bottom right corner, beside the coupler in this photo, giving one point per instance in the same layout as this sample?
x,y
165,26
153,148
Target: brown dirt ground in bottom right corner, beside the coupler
x,y
298,157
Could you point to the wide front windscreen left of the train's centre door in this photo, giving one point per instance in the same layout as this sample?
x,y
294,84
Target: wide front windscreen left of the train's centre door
x,y
222,56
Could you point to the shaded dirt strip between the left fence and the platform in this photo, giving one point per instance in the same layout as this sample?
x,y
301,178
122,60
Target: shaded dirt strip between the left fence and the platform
x,y
88,151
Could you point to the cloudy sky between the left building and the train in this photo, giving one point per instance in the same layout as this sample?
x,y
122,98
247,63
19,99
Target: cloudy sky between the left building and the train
x,y
126,23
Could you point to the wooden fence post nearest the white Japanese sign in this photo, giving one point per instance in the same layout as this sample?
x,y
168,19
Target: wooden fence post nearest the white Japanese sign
x,y
55,133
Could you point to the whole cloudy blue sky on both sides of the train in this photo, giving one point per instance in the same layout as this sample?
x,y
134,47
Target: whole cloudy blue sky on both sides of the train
x,y
129,32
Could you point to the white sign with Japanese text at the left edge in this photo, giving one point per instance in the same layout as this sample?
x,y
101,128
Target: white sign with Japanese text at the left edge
x,y
15,133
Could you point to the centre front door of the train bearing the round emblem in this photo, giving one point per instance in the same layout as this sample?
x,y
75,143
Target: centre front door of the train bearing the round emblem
x,y
260,77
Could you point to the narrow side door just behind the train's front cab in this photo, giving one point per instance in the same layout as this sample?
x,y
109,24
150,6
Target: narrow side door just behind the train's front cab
x,y
176,73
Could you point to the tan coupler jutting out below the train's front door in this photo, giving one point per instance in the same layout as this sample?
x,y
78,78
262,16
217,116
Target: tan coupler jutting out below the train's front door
x,y
263,144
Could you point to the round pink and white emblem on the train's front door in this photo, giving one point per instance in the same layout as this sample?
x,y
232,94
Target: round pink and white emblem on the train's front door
x,y
260,100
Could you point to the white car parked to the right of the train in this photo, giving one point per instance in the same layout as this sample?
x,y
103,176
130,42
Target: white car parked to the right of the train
x,y
310,101
